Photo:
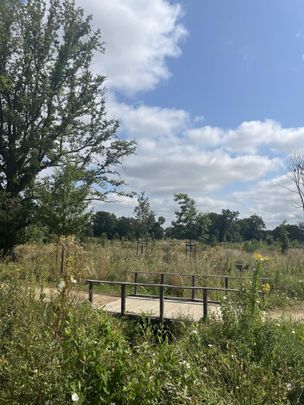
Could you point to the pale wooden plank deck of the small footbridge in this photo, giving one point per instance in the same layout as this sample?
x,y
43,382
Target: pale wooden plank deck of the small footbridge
x,y
172,309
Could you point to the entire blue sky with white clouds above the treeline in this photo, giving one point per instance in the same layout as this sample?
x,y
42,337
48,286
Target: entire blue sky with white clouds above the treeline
x,y
213,93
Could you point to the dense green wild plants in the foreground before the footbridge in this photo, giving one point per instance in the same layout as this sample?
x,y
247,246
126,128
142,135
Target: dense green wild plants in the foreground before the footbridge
x,y
64,352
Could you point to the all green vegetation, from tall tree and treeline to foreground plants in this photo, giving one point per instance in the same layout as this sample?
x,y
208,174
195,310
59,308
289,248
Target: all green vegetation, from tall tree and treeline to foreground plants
x,y
55,347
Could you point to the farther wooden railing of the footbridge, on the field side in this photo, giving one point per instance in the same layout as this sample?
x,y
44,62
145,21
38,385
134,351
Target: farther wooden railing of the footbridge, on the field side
x,y
194,278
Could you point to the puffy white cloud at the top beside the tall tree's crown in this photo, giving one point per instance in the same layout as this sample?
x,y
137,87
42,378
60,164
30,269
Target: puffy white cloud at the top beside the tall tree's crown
x,y
139,36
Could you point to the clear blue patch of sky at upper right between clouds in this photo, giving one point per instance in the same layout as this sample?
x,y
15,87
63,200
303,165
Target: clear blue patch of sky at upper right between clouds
x,y
242,60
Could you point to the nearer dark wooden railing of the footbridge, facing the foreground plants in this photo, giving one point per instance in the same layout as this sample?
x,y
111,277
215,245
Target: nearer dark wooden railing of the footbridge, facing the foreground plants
x,y
161,287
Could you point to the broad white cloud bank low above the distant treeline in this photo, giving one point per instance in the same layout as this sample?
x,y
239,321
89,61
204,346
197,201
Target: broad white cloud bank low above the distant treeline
x,y
175,156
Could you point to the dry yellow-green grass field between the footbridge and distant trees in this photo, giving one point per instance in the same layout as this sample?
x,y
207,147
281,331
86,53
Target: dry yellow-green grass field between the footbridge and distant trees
x,y
117,261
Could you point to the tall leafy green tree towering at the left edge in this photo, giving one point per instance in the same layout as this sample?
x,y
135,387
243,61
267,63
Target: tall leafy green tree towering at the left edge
x,y
52,106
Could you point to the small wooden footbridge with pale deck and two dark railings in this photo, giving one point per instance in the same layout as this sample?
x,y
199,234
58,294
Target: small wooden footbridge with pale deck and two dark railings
x,y
197,303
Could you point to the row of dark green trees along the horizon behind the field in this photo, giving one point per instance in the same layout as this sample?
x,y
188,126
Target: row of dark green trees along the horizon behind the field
x,y
189,223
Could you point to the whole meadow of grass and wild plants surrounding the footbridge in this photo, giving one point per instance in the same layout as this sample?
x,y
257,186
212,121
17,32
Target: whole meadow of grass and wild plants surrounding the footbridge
x,y
64,351
